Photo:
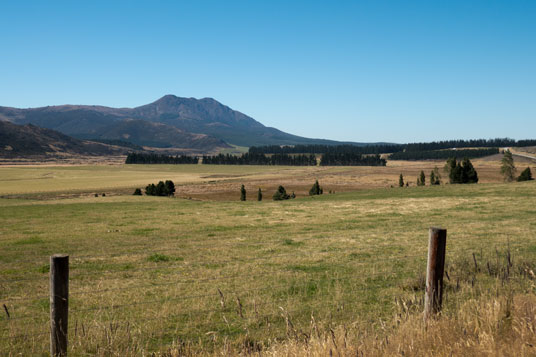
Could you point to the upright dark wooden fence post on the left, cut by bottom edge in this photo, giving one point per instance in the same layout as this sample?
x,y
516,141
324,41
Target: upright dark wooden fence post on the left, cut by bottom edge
x,y
59,304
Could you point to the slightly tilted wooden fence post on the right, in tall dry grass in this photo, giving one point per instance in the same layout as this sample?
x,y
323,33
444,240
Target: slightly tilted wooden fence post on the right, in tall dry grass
x,y
434,271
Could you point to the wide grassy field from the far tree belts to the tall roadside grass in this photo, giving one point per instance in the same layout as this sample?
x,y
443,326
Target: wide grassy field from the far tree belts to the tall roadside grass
x,y
157,274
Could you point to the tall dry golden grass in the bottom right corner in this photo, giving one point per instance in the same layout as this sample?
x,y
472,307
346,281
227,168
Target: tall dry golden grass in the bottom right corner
x,y
484,327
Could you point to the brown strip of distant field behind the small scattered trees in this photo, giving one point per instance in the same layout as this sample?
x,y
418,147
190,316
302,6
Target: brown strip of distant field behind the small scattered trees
x,y
335,179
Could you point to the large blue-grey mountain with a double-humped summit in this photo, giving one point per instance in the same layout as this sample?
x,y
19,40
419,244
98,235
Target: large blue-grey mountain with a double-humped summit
x,y
205,123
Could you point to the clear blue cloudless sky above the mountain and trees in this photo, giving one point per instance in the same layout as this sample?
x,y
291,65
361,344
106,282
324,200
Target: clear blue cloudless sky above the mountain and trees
x,y
397,71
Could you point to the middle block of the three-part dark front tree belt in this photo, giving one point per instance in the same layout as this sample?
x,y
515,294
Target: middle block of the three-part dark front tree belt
x,y
261,159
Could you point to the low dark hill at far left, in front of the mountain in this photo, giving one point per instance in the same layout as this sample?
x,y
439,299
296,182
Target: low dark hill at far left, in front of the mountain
x,y
32,141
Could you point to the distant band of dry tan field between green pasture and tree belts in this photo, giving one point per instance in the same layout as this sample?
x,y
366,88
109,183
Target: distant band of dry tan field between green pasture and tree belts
x,y
213,182
